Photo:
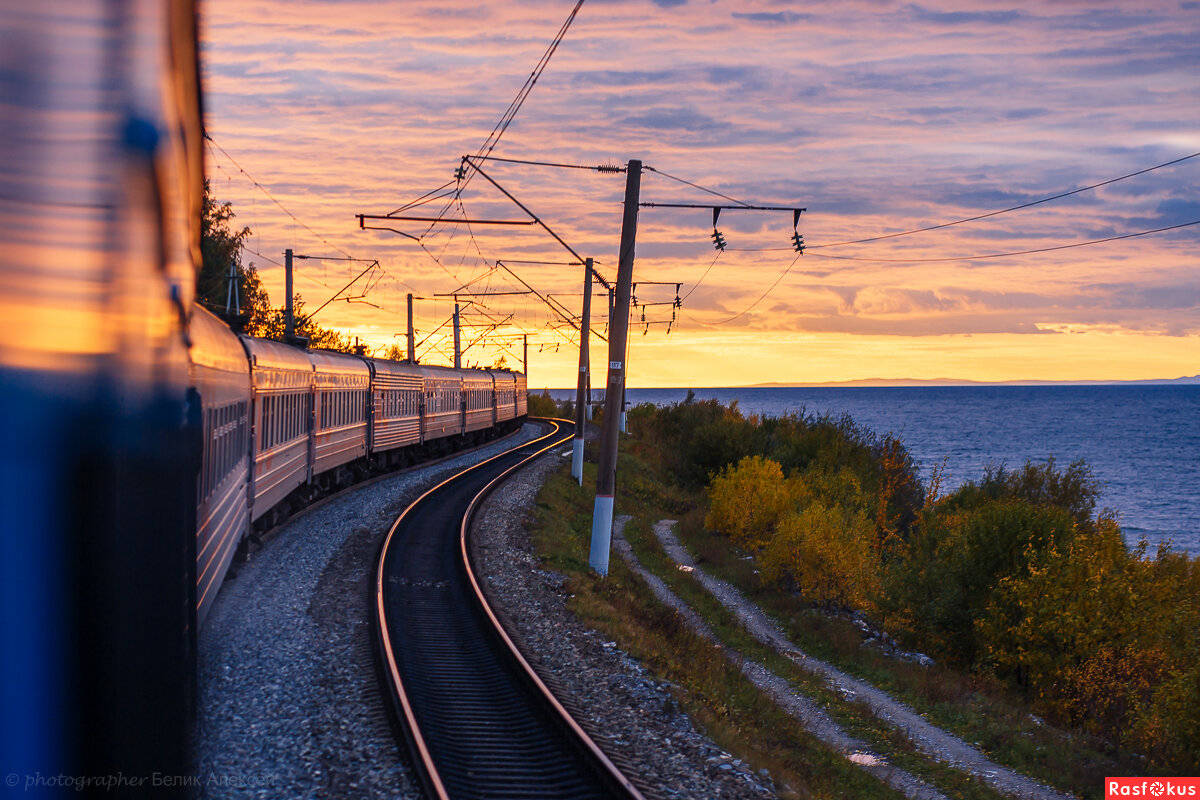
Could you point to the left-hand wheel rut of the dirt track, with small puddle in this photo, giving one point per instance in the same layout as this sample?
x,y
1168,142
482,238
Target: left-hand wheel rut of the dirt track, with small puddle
x,y
802,708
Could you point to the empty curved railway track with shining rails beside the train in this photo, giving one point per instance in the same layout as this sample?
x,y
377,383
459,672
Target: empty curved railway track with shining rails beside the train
x,y
477,719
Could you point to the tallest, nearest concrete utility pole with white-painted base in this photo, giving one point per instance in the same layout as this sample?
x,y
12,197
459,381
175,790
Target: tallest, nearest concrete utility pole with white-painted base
x,y
619,335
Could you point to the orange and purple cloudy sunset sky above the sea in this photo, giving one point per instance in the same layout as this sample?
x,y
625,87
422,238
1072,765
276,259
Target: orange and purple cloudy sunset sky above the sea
x,y
875,117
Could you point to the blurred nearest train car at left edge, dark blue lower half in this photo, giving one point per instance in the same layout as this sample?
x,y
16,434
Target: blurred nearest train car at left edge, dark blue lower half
x,y
101,188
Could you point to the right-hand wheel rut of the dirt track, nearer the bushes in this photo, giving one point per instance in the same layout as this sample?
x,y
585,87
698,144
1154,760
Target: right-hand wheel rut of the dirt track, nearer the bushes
x,y
928,738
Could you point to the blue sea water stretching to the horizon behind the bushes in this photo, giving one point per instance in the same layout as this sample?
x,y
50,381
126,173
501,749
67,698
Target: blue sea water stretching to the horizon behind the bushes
x,y
1143,442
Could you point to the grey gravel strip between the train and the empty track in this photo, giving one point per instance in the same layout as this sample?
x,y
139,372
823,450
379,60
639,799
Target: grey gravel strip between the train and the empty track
x,y
290,705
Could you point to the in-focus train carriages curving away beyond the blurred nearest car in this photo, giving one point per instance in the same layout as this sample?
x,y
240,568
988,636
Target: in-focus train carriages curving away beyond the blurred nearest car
x,y
280,424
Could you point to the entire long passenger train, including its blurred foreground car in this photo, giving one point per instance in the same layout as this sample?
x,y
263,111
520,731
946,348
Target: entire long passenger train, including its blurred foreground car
x,y
141,441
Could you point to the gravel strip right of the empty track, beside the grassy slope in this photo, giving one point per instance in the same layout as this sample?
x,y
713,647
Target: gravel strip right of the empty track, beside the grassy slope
x,y
629,714
